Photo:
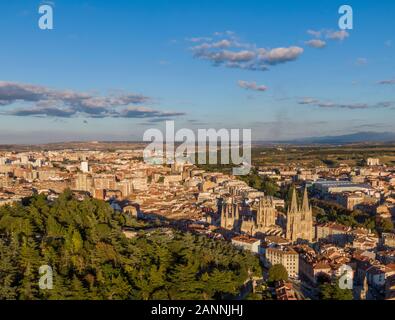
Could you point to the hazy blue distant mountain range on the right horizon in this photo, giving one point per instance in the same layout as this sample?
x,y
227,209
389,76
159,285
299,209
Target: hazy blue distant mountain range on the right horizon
x,y
358,137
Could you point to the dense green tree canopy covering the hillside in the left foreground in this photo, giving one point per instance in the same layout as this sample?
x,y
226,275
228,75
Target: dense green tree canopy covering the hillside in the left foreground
x,y
91,258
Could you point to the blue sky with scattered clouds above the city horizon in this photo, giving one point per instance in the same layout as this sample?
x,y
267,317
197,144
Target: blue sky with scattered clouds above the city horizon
x,y
111,70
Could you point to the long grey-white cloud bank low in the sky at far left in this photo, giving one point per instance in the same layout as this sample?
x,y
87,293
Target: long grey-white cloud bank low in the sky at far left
x,y
43,101
